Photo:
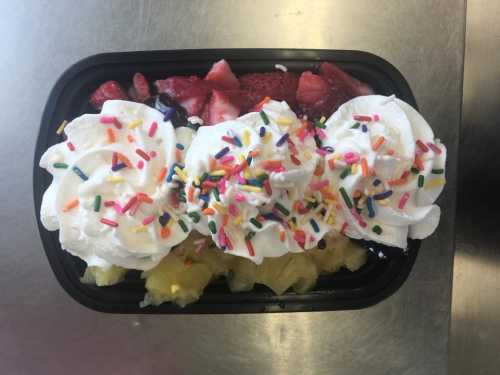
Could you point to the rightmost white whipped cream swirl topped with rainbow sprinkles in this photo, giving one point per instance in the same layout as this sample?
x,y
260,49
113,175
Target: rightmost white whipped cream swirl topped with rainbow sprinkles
x,y
401,128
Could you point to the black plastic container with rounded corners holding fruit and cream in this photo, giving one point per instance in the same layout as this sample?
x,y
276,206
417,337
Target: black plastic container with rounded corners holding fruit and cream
x,y
374,282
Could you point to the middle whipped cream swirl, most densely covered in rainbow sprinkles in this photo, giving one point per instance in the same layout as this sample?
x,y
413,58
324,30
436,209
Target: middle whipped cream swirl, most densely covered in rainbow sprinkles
x,y
248,184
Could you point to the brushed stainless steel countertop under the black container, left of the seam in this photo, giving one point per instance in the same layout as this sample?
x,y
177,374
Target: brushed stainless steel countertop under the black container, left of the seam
x,y
45,332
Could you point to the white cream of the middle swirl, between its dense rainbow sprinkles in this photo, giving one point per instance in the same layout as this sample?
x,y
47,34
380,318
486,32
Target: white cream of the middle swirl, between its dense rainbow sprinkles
x,y
273,238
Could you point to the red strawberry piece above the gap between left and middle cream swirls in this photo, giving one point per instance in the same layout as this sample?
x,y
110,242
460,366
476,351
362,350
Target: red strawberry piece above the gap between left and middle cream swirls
x,y
189,92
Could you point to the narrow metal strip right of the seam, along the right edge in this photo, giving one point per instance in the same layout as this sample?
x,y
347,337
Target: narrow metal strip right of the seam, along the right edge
x,y
475,327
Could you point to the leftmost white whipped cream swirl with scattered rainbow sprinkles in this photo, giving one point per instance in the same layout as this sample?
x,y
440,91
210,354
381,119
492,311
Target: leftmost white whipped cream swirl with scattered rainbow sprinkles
x,y
131,244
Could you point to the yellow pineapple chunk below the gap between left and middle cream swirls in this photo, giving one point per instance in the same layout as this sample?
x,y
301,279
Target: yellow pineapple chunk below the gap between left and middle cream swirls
x,y
176,280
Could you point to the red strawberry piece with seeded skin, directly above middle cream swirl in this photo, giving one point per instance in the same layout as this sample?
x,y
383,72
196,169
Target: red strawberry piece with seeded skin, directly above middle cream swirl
x,y
276,85
